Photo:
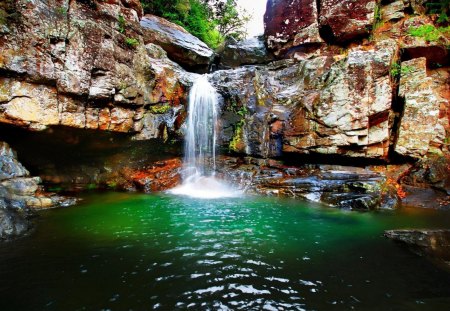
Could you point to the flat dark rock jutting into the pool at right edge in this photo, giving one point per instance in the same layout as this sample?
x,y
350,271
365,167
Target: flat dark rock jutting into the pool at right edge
x,y
434,244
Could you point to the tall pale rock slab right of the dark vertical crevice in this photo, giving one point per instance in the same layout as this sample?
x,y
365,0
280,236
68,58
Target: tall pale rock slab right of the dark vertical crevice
x,y
421,110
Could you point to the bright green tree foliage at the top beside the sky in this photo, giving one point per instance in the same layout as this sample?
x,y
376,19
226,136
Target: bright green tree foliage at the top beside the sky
x,y
212,21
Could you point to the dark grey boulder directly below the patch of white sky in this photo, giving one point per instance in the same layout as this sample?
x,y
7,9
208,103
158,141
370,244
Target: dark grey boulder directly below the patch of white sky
x,y
248,52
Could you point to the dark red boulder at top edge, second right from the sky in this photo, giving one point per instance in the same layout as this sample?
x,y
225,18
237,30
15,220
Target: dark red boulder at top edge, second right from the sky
x,y
346,20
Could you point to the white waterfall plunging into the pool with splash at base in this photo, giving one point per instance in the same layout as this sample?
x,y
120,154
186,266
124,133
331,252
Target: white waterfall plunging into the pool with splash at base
x,y
200,147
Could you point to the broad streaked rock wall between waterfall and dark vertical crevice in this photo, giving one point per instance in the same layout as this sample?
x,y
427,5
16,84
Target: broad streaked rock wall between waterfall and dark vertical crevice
x,y
325,105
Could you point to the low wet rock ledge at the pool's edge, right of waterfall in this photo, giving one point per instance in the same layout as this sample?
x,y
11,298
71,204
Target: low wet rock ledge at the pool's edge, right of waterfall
x,y
343,187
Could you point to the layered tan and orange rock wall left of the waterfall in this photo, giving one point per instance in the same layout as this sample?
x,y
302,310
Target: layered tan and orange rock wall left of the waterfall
x,y
84,65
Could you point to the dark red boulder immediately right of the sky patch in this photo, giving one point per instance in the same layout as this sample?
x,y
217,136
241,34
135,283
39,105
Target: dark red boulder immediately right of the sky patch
x,y
290,23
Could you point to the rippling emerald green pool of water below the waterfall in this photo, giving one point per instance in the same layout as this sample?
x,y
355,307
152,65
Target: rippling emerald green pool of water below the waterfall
x,y
144,252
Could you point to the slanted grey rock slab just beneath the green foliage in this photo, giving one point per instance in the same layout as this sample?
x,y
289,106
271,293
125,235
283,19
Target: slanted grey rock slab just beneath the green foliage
x,y
181,47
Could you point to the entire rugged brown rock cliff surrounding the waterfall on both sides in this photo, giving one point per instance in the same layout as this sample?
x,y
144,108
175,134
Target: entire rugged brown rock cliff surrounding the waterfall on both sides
x,y
336,82
